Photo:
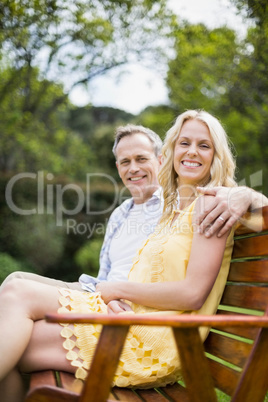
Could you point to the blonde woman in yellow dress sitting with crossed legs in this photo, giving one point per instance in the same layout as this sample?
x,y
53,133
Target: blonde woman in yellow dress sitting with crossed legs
x,y
176,270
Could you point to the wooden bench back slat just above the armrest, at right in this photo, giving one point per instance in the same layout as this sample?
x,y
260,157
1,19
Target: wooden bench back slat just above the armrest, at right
x,y
245,296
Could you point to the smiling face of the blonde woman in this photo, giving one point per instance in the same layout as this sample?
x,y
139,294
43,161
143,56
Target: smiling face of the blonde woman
x,y
193,153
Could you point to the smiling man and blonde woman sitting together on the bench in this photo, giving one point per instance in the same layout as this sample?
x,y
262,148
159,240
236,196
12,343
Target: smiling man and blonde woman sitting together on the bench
x,y
181,238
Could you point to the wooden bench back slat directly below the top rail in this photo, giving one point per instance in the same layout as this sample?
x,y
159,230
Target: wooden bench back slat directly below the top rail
x,y
251,247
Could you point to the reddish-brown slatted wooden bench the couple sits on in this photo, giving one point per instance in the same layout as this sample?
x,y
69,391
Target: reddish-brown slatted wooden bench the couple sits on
x,y
236,358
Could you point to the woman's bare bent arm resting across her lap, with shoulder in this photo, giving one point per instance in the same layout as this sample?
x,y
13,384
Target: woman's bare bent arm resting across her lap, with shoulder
x,y
188,294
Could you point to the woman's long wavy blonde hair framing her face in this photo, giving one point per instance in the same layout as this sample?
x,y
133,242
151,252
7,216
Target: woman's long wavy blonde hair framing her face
x,y
223,165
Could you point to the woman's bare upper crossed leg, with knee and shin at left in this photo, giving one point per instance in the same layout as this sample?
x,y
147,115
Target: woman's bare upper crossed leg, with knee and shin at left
x,y
22,302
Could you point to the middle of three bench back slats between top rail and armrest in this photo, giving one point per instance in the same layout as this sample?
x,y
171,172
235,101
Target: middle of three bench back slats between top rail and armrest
x,y
249,271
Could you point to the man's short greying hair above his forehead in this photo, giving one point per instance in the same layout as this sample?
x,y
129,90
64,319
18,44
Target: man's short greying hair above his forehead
x,y
130,129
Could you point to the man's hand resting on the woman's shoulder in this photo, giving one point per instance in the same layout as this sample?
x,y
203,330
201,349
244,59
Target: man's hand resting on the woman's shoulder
x,y
230,204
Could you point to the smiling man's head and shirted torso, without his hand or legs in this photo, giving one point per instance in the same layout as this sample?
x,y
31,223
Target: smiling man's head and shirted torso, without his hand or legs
x,y
138,158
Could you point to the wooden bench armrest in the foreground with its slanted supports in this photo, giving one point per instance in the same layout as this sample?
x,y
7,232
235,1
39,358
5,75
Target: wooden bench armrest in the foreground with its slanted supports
x,y
195,367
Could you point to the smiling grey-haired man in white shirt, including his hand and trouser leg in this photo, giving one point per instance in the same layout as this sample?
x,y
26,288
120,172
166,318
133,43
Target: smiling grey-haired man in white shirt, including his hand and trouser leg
x,y
138,158
